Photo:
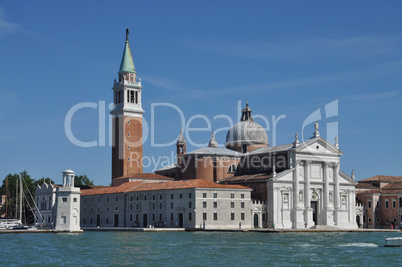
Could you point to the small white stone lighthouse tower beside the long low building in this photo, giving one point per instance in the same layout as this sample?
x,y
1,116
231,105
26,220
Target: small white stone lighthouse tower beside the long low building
x,y
68,205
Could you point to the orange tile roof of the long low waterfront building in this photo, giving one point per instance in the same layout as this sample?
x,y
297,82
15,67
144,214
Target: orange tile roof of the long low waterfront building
x,y
141,186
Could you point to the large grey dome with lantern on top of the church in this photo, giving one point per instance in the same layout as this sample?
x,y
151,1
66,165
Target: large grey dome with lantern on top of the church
x,y
247,131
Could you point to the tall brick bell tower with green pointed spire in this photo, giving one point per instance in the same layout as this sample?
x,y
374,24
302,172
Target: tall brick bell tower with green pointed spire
x,y
127,118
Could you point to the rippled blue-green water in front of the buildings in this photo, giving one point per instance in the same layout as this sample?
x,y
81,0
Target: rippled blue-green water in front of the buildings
x,y
198,249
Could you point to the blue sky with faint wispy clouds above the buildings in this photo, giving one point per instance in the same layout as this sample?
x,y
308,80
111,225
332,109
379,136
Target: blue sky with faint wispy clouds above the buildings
x,y
288,58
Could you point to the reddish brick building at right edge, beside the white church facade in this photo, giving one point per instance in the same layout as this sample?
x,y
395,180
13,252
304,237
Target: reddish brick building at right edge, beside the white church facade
x,y
381,197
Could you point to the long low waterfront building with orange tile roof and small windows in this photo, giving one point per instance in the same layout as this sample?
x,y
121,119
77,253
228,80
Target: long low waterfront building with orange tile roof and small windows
x,y
190,204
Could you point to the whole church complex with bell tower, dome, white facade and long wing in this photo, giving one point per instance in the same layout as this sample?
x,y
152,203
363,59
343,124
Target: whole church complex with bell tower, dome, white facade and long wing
x,y
247,183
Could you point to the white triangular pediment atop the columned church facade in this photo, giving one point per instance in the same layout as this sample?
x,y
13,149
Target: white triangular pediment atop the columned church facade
x,y
318,146
